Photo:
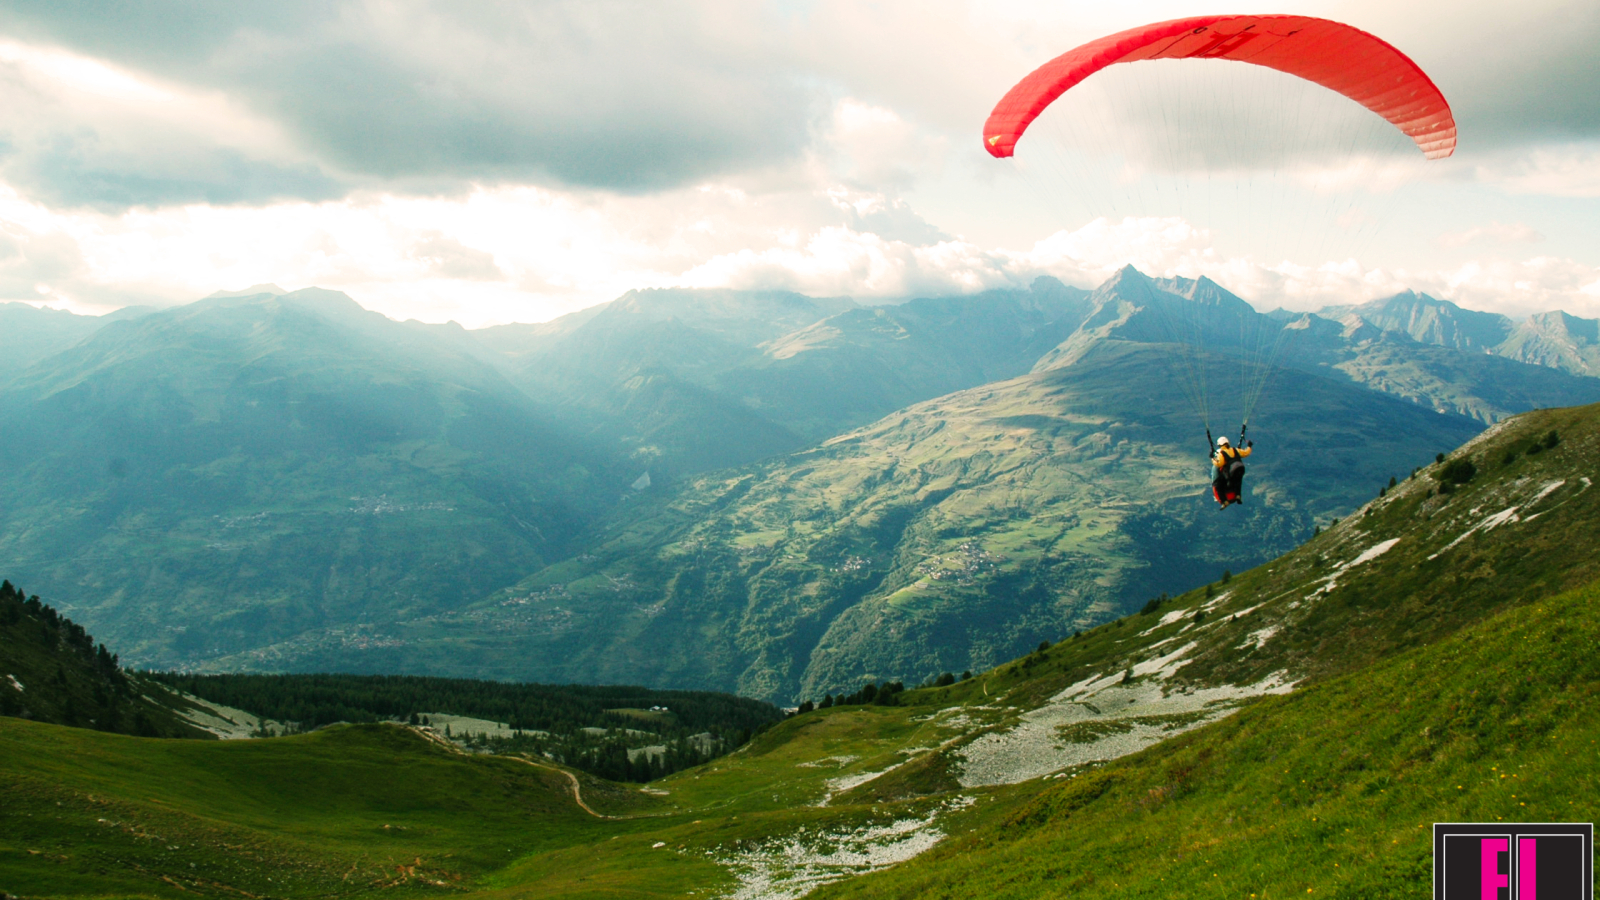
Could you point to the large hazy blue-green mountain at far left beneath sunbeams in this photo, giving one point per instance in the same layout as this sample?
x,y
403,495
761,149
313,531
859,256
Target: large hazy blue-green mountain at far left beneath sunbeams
x,y
214,475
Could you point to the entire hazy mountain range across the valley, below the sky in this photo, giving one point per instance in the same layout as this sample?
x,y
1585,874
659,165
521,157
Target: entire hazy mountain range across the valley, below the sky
x,y
706,489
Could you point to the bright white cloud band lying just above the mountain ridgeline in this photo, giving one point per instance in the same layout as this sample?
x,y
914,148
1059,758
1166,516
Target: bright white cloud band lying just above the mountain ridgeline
x,y
522,254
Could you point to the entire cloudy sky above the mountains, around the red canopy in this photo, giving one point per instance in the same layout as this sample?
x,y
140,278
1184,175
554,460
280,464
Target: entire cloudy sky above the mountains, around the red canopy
x,y
510,163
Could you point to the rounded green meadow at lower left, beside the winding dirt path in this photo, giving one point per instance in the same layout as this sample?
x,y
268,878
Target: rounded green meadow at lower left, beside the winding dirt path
x,y
350,811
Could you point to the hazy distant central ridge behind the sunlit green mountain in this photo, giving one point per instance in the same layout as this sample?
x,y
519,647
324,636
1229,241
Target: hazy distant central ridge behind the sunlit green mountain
x,y
694,380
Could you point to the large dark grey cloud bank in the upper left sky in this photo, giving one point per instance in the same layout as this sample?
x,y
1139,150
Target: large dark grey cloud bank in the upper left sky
x,y
606,94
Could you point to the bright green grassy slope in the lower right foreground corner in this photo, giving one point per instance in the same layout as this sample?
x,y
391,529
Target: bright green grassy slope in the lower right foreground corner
x,y
1330,792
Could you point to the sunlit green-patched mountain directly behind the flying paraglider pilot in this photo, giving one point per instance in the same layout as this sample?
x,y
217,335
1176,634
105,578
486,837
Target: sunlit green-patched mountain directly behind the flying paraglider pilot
x,y
950,536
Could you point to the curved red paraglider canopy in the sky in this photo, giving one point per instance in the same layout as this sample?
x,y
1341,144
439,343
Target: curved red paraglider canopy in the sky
x,y
1334,55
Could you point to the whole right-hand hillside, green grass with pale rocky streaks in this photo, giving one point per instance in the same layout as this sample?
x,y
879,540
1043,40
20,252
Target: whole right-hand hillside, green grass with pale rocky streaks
x,y
1449,675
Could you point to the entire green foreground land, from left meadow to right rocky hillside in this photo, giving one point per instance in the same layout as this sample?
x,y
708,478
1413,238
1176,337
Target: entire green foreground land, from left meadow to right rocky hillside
x,y
1431,657
